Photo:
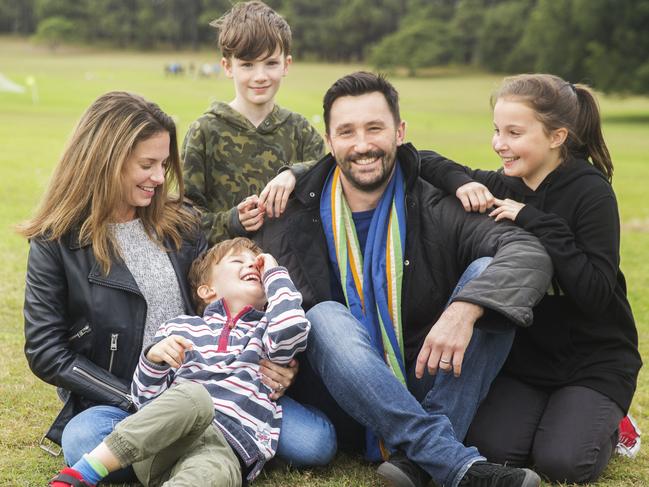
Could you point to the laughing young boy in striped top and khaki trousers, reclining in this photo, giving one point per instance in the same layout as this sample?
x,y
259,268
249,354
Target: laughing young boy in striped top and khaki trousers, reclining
x,y
203,371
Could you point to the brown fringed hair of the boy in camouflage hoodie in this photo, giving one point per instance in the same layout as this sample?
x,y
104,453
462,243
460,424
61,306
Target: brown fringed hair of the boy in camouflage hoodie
x,y
250,30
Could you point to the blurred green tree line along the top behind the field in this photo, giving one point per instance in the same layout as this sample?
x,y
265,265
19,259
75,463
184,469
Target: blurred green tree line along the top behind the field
x,y
602,42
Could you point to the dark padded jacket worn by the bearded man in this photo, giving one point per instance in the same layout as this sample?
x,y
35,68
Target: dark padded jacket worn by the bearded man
x,y
441,241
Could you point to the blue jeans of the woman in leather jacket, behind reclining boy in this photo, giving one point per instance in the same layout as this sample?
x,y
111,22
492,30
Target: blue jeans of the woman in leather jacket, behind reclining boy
x,y
307,437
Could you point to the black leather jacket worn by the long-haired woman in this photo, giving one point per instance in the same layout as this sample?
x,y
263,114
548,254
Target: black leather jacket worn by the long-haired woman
x,y
84,329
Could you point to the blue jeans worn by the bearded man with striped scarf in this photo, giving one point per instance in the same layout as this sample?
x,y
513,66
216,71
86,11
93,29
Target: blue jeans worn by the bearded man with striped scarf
x,y
428,432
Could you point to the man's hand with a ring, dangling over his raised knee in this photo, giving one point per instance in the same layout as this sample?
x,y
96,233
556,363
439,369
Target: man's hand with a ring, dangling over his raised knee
x,y
448,339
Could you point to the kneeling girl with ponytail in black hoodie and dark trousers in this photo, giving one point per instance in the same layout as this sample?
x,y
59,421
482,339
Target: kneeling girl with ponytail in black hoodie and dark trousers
x,y
570,377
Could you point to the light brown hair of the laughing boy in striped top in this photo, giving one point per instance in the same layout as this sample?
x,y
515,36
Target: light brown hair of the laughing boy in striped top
x,y
201,270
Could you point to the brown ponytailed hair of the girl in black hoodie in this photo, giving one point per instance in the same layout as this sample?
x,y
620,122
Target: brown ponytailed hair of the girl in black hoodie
x,y
560,104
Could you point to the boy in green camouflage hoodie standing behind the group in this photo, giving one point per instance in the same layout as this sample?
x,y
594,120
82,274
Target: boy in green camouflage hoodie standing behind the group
x,y
233,150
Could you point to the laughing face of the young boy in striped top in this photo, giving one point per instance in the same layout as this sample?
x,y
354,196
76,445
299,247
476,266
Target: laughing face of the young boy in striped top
x,y
237,279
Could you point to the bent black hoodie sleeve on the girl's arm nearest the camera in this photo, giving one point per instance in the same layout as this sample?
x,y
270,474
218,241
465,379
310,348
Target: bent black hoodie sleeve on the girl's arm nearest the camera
x,y
586,257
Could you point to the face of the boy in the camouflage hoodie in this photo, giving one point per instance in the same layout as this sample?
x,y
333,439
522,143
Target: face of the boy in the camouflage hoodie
x,y
256,81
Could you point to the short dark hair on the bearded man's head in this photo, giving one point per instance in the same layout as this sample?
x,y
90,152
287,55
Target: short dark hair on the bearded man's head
x,y
361,83
